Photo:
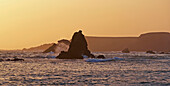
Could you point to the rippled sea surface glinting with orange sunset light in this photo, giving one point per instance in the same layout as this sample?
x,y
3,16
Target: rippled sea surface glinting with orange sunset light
x,y
137,69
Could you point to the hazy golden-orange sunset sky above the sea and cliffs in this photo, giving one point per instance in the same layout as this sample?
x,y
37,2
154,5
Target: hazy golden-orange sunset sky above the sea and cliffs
x,y
27,23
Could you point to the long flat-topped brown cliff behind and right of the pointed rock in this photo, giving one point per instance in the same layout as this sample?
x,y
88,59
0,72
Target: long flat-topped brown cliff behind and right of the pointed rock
x,y
157,41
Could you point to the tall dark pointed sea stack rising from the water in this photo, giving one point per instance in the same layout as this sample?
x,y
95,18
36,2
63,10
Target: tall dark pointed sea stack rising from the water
x,y
77,48
